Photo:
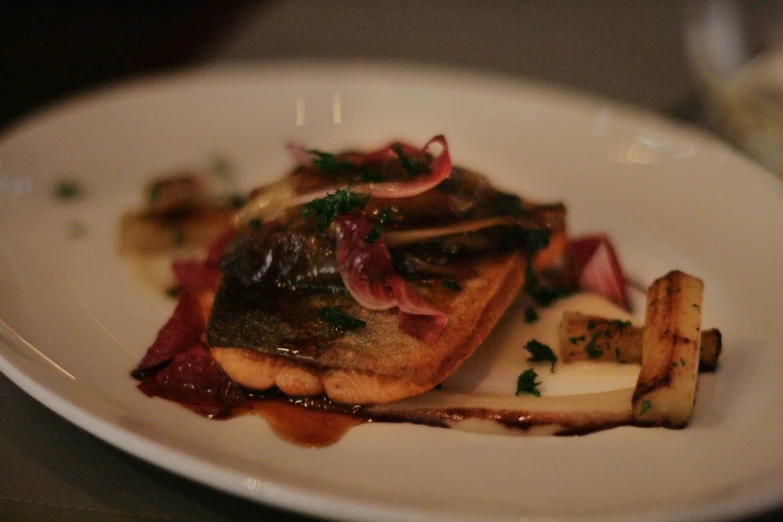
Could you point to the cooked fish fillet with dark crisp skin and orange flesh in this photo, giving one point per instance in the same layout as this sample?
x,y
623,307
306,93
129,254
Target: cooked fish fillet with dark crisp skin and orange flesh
x,y
374,364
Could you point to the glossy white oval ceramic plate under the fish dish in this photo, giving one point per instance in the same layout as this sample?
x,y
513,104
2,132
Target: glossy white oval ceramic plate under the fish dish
x,y
75,320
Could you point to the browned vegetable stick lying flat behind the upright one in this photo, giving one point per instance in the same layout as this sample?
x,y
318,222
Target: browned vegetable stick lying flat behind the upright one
x,y
588,337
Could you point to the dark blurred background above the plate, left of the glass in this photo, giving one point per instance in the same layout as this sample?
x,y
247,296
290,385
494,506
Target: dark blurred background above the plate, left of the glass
x,y
630,50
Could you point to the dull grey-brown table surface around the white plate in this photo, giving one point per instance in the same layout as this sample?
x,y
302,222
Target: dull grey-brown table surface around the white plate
x,y
631,51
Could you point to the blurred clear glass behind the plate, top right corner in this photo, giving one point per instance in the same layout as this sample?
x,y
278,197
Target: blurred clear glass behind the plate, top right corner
x,y
735,49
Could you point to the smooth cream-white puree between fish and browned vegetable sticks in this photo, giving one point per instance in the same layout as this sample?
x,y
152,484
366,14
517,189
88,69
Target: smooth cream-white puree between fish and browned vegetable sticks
x,y
494,368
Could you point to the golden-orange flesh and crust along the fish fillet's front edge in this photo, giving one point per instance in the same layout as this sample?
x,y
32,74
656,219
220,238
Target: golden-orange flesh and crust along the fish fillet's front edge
x,y
379,363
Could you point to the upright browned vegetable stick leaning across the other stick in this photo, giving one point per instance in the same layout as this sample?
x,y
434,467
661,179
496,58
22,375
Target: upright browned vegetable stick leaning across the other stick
x,y
666,387
